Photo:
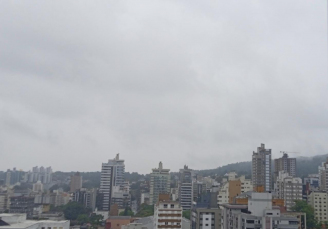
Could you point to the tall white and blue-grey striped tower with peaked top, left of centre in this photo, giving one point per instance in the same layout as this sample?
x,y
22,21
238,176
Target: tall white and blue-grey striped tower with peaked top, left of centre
x,y
112,174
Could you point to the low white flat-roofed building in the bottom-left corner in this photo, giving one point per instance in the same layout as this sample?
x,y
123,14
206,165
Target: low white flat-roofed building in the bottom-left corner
x,y
18,221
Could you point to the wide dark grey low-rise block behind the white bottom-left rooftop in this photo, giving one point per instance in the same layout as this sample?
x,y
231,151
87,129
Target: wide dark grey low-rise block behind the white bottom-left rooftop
x,y
22,204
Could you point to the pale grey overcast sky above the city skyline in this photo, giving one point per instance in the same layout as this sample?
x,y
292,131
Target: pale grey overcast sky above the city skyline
x,y
201,83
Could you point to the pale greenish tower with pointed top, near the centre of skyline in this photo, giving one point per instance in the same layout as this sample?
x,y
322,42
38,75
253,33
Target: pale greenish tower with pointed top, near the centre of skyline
x,y
159,183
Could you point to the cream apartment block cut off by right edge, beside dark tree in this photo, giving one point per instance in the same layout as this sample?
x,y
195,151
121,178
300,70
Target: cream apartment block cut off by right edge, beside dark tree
x,y
318,200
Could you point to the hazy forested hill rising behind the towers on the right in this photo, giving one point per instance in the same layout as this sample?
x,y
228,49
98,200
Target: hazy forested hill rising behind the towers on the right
x,y
305,166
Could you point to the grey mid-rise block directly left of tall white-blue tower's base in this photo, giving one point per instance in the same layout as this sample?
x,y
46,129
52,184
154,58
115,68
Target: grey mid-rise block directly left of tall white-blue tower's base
x,y
85,197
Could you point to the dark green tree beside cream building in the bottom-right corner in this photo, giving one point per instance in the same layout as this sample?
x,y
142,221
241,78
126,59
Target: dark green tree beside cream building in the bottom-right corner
x,y
303,206
